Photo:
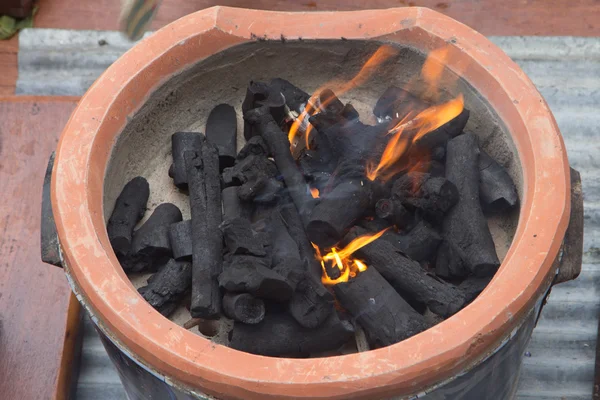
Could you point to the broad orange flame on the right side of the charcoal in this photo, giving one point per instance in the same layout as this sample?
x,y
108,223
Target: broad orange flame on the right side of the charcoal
x,y
425,122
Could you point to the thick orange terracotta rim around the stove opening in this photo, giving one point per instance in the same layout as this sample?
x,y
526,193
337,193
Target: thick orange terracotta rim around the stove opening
x,y
192,360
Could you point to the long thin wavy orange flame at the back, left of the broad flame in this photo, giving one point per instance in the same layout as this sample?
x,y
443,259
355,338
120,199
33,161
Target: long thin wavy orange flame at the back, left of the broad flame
x,y
314,105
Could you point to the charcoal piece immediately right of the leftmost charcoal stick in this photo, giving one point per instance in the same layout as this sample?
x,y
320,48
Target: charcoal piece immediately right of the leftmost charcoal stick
x,y
151,245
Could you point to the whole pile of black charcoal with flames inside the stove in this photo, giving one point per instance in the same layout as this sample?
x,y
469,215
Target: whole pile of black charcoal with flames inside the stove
x,y
337,217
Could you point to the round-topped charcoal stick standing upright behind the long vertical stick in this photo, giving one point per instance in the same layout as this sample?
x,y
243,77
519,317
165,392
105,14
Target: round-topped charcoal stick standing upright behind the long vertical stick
x,y
221,130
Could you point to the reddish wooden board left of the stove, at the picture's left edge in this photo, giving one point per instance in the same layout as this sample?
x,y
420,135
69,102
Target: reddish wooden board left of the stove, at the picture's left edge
x,y
38,313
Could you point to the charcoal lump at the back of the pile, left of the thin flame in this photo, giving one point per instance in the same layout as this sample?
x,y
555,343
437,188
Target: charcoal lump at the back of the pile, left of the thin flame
x,y
259,95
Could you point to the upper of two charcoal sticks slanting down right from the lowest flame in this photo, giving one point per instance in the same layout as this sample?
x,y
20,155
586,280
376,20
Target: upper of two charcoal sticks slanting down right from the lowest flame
x,y
407,276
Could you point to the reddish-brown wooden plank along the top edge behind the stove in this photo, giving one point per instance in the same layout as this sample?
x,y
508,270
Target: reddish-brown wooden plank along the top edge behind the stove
x,y
490,17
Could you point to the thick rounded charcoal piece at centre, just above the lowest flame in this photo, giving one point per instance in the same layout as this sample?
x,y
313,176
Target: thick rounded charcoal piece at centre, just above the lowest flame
x,y
337,211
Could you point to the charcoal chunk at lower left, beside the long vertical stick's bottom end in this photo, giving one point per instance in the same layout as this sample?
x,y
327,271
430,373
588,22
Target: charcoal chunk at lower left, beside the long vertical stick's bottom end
x,y
166,288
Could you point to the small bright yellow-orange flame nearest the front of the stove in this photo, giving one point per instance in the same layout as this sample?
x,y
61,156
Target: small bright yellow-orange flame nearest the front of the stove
x,y
343,260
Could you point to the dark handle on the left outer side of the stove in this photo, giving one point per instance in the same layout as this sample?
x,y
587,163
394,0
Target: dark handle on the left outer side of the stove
x,y
49,238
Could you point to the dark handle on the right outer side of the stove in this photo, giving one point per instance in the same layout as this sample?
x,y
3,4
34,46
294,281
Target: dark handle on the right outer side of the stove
x,y
571,255
